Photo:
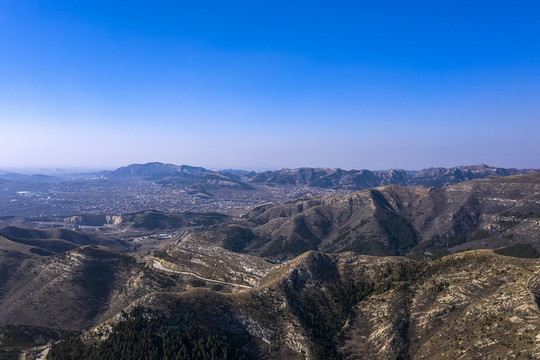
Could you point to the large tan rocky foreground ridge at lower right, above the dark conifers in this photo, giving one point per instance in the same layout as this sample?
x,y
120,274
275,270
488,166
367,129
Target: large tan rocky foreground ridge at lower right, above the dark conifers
x,y
469,305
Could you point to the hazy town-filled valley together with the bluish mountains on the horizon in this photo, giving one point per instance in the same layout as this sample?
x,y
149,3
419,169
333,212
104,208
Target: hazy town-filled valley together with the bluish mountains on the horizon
x,y
172,188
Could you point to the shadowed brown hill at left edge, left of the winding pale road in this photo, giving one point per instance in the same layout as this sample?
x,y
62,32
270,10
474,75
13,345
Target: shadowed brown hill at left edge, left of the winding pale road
x,y
76,289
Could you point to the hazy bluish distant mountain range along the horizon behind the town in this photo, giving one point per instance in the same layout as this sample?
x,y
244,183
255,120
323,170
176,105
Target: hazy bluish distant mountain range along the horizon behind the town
x,y
350,180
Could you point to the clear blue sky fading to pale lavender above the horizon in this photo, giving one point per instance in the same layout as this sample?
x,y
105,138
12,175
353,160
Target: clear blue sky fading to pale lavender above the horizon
x,y
270,84
